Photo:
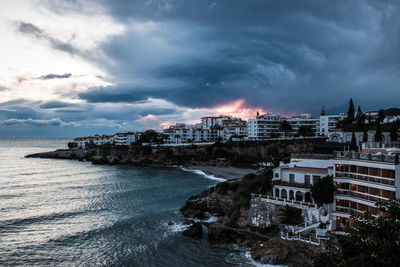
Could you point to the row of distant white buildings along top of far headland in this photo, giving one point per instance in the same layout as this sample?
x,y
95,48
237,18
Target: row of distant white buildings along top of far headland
x,y
225,128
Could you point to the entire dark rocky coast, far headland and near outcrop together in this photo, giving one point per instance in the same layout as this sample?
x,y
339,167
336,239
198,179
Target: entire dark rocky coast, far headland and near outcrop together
x,y
229,202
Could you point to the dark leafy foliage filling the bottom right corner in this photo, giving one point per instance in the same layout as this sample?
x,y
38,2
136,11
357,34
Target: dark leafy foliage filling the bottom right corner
x,y
372,242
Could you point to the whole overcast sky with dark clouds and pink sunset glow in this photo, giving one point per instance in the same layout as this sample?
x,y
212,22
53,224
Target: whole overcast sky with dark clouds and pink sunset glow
x,y
78,67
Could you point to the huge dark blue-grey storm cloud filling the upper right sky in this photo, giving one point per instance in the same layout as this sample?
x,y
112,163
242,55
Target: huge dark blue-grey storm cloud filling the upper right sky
x,y
286,55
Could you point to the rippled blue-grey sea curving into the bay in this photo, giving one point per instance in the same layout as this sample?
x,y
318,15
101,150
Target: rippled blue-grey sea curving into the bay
x,y
68,213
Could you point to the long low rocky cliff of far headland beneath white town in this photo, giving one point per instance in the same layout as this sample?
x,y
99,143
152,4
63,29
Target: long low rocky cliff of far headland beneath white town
x,y
237,154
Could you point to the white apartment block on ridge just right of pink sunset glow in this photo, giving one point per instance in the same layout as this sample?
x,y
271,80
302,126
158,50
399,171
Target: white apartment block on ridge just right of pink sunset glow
x,y
263,126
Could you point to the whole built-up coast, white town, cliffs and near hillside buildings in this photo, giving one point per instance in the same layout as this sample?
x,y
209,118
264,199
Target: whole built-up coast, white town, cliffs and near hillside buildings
x,y
321,171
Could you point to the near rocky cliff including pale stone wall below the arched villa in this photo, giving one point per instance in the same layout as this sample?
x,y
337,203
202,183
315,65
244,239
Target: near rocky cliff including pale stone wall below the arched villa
x,y
244,220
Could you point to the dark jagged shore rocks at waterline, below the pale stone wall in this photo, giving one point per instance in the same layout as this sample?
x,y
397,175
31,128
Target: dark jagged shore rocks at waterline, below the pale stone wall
x,y
235,227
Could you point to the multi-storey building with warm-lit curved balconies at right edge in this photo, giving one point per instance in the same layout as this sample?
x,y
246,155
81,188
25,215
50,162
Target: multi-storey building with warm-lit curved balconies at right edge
x,y
362,179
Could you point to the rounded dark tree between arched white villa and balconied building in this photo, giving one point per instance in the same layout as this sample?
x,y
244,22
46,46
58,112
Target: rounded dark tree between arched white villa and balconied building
x,y
322,190
